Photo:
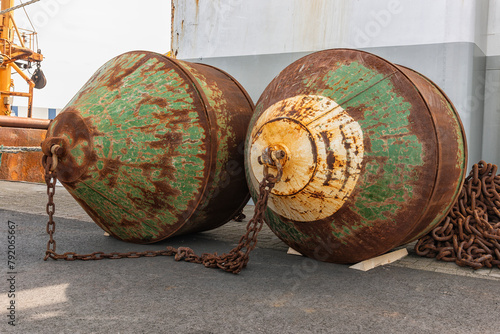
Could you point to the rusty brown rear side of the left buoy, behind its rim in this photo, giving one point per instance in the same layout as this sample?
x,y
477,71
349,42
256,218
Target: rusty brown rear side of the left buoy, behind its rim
x,y
231,107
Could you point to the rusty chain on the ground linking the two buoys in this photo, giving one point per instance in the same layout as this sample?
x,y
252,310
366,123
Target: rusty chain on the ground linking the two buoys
x,y
232,262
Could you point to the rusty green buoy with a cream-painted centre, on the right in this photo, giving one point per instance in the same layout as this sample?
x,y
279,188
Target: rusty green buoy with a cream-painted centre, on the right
x,y
375,154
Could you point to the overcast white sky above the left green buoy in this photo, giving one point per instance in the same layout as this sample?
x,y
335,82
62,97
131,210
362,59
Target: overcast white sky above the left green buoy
x,y
78,36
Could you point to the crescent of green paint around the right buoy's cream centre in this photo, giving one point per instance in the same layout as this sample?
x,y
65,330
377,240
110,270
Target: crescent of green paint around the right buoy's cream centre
x,y
393,150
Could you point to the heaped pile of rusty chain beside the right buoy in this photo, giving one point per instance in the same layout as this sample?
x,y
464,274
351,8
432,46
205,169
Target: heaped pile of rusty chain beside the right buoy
x,y
470,234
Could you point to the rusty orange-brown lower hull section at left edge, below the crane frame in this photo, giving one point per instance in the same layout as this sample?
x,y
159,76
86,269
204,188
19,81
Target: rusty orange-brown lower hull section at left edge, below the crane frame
x,y
23,166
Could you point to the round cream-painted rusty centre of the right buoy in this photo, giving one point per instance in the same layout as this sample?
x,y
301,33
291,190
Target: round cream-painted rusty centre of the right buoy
x,y
323,152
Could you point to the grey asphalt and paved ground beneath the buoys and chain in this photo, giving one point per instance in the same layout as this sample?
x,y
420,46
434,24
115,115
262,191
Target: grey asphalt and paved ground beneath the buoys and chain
x,y
276,293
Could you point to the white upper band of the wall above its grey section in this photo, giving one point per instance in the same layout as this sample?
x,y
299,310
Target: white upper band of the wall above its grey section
x,y
241,27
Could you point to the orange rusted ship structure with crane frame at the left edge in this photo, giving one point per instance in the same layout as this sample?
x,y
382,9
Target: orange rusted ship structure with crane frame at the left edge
x,y
17,53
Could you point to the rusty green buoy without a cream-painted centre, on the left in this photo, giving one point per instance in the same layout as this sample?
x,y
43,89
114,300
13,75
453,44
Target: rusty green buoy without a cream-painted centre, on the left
x,y
153,147
